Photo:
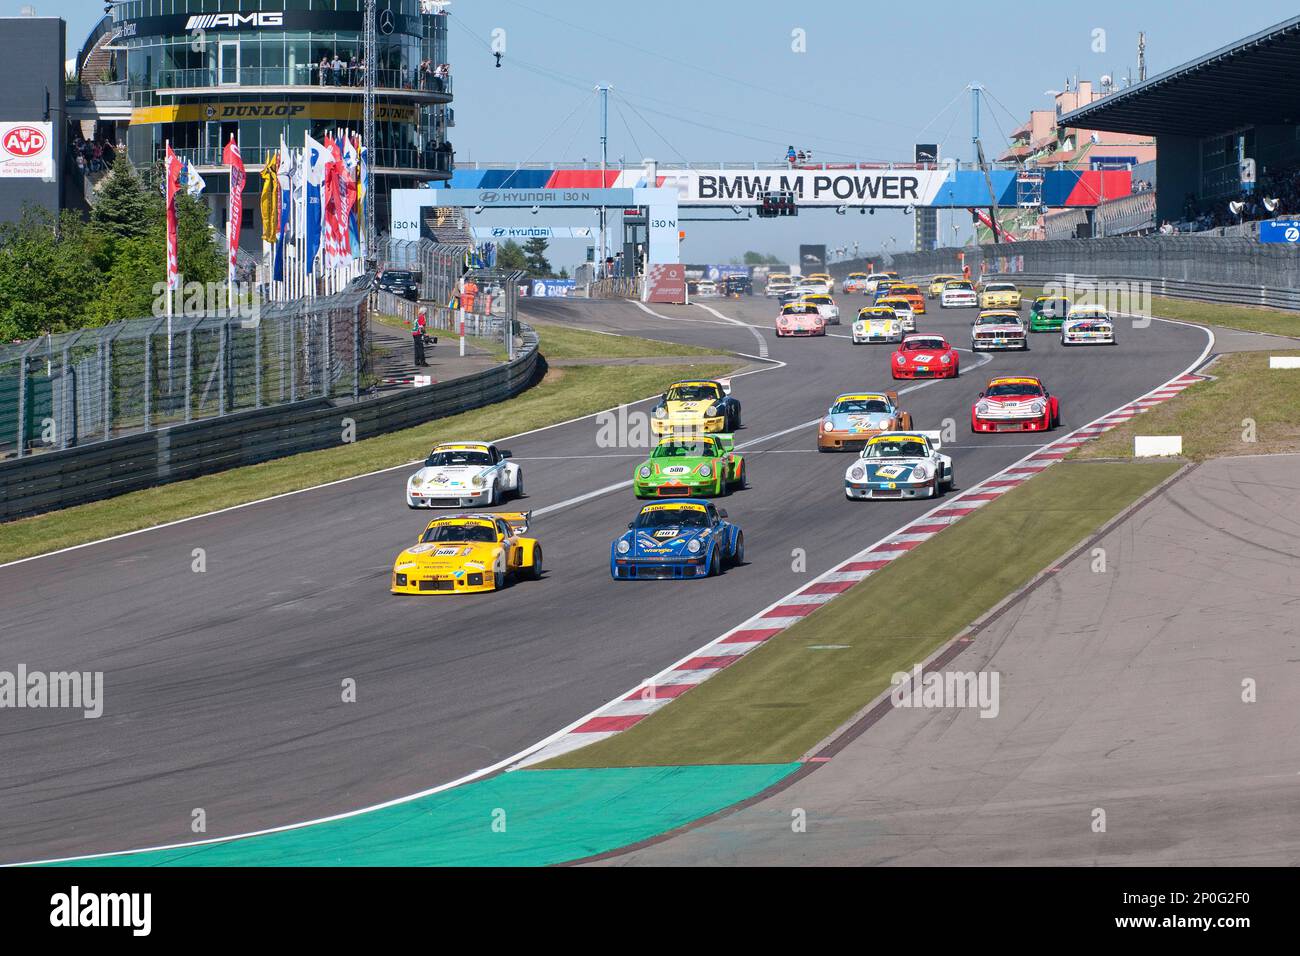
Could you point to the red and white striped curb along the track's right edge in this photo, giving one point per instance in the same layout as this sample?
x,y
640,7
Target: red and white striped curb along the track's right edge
x,y
700,665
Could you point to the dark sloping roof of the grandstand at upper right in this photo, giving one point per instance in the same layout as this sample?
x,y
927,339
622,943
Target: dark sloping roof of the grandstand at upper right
x,y
1255,81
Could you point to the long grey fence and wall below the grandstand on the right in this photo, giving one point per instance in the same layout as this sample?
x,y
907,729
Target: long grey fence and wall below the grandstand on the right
x,y
1208,269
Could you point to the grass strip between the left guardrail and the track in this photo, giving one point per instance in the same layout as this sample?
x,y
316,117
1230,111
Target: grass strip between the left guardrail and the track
x,y
565,393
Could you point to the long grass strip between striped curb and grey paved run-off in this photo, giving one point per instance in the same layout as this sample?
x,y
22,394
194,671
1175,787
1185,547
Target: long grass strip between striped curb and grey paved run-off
x,y
785,698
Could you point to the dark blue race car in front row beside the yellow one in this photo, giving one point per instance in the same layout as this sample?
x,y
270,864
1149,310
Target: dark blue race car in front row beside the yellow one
x,y
678,539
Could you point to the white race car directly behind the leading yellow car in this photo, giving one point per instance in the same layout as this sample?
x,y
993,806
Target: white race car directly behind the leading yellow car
x,y
465,474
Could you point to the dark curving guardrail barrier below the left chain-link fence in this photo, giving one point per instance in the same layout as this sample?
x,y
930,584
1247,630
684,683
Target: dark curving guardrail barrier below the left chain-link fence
x,y
59,479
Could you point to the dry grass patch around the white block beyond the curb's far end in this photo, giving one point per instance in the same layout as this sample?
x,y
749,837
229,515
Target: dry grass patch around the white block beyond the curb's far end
x,y
1216,418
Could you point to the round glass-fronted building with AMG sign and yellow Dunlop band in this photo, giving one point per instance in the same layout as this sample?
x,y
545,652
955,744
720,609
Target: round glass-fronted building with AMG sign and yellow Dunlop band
x,y
201,71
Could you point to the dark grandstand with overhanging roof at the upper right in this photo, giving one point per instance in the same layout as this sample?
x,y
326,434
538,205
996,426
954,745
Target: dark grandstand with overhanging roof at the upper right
x,y
1238,102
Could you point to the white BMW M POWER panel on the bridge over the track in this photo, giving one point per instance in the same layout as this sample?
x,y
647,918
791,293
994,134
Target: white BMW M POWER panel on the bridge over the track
x,y
812,188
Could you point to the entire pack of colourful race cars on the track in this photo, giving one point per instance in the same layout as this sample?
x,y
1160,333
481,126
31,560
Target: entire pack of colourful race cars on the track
x,y
682,533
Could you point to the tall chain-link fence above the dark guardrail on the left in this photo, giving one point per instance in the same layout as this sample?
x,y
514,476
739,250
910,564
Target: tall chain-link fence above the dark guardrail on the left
x,y
71,390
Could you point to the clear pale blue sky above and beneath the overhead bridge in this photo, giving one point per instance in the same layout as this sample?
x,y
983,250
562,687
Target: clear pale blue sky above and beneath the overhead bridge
x,y
718,80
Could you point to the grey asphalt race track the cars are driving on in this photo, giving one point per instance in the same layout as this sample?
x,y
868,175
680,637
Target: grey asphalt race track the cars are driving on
x,y
223,690
